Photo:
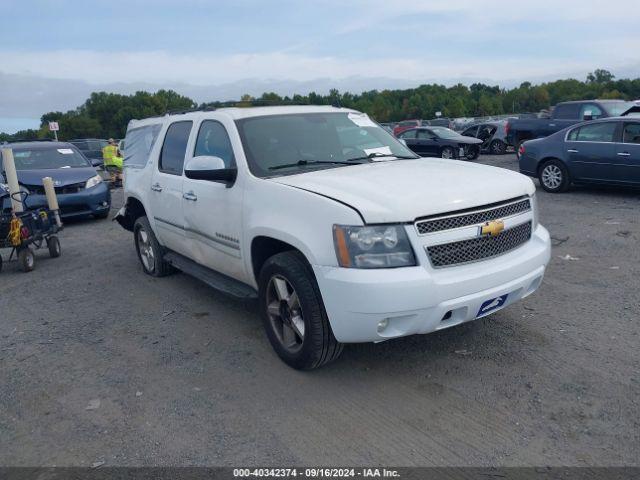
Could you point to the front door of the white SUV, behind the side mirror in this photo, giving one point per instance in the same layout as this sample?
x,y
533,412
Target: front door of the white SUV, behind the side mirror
x,y
213,210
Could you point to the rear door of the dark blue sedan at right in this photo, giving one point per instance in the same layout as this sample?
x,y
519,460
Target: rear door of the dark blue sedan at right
x,y
591,152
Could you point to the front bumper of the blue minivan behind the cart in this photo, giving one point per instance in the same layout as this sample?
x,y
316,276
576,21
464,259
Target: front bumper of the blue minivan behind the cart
x,y
95,200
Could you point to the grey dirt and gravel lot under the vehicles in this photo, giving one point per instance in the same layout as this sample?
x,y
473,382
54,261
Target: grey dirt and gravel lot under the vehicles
x,y
101,363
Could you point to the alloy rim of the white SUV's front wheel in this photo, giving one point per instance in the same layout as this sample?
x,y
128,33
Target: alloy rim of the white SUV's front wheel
x,y
285,313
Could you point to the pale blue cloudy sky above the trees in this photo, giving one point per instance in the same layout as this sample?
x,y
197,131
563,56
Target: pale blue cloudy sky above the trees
x,y
54,53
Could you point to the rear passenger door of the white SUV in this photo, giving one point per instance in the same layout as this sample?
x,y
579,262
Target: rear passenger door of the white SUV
x,y
165,197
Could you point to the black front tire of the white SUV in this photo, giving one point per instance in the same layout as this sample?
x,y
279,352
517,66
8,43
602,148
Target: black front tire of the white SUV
x,y
317,346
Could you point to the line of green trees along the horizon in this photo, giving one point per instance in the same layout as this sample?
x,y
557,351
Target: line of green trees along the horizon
x,y
106,115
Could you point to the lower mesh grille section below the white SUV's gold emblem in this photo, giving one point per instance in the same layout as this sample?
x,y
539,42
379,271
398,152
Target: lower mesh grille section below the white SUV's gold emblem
x,y
480,248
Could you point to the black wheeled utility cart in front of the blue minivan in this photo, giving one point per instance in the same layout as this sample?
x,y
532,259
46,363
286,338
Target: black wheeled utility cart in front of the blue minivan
x,y
24,232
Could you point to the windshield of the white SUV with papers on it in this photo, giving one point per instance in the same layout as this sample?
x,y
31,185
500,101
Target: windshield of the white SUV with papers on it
x,y
294,143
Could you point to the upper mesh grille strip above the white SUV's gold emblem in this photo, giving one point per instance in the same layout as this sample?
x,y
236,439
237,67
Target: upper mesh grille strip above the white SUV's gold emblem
x,y
484,214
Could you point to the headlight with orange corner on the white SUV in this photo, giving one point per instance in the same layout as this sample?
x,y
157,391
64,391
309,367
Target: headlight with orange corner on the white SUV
x,y
384,246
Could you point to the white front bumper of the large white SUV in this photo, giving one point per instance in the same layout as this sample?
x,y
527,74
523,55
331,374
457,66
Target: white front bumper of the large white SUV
x,y
422,299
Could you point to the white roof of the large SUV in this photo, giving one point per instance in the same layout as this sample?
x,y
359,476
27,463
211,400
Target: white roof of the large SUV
x,y
236,113
